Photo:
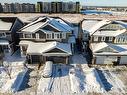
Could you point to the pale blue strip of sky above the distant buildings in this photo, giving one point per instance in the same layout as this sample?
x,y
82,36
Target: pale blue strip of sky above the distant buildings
x,y
83,2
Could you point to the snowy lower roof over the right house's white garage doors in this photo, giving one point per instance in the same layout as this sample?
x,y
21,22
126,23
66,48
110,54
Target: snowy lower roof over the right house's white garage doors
x,y
119,49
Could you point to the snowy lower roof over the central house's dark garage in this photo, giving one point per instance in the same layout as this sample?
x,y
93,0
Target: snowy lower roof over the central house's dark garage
x,y
42,48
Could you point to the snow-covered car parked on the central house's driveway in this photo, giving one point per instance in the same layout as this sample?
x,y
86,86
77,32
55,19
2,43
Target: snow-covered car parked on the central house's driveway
x,y
47,72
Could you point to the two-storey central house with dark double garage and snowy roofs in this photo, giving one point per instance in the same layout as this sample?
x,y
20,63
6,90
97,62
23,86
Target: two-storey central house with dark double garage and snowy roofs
x,y
47,39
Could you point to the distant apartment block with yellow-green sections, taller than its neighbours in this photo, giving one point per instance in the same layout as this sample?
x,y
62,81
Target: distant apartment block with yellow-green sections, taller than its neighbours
x,y
58,7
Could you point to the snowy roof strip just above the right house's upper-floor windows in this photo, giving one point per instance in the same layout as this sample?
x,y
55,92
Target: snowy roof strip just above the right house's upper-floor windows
x,y
109,33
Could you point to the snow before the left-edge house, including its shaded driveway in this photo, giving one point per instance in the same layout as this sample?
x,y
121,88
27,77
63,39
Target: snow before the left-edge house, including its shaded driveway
x,y
17,73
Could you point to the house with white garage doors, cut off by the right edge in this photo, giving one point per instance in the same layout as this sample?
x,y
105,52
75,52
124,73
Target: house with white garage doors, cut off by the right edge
x,y
107,40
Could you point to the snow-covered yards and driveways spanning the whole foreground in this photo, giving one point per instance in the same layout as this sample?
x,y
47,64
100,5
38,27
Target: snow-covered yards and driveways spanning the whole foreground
x,y
77,78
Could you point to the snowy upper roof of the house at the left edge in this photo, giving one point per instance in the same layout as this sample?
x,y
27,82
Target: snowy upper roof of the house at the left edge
x,y
5,25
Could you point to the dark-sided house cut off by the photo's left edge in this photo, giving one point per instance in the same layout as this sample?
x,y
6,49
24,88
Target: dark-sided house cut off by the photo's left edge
x,y
8,34
